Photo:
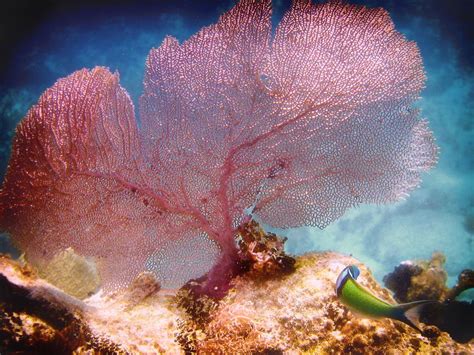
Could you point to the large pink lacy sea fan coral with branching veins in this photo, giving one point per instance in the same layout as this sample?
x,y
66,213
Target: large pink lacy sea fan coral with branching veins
x,y
314,120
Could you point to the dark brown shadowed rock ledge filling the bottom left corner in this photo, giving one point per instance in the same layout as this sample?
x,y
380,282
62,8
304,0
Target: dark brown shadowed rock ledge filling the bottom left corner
x,y
38,318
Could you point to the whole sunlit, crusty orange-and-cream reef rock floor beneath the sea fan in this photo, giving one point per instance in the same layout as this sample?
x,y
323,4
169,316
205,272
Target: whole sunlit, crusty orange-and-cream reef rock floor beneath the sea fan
x,y
297,312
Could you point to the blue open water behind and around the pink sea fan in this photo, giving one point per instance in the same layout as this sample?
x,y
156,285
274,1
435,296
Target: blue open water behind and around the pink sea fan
x,y
438,216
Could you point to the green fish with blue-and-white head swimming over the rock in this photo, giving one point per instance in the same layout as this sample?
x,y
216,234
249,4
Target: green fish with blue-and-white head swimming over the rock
x,y
360,300
